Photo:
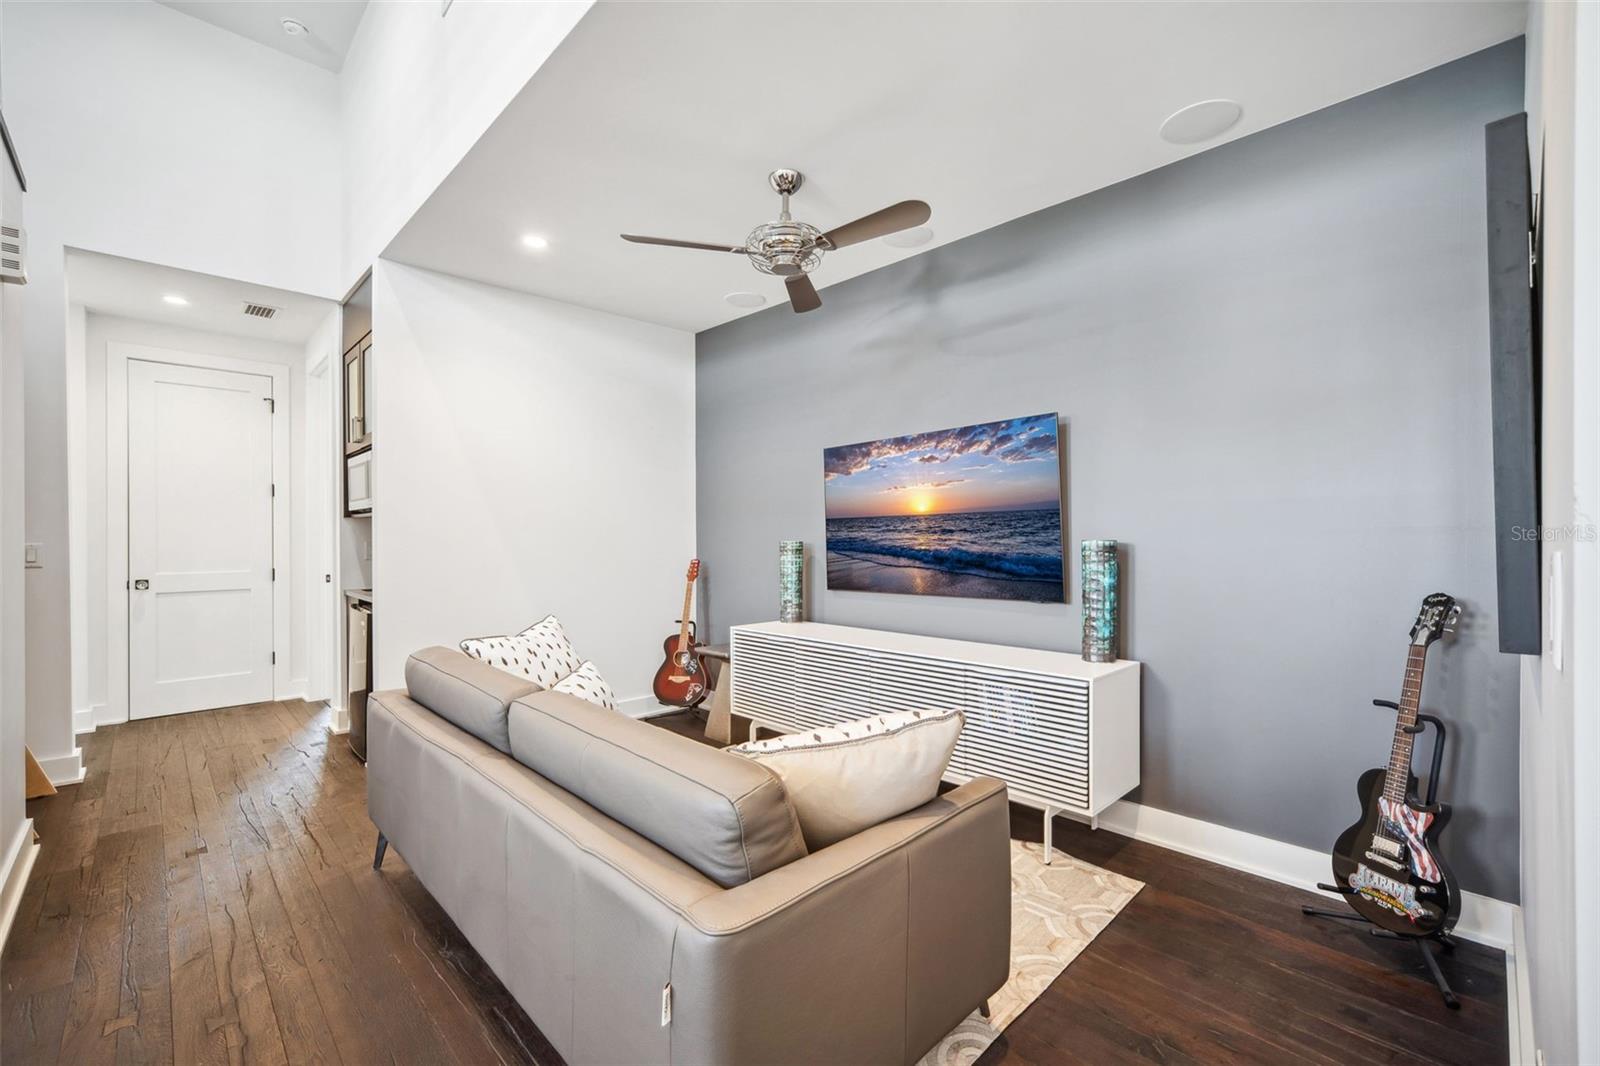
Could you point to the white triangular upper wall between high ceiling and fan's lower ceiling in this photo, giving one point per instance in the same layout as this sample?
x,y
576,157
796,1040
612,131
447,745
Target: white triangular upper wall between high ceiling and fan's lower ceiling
x,y
418,90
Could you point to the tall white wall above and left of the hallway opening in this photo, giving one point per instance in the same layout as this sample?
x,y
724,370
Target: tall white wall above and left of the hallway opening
x,y
154,137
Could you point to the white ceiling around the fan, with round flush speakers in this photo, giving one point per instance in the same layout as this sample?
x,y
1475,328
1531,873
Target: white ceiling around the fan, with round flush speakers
x,y
665,119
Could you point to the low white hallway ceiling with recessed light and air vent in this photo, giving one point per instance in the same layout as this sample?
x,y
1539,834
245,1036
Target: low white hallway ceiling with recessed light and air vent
x,y
134,291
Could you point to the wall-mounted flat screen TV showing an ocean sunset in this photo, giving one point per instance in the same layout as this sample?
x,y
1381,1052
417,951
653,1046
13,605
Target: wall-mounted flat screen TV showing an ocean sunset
x,y
972,511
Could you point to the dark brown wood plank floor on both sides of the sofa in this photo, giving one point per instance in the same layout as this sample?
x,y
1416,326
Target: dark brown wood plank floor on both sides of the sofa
x,y
207,897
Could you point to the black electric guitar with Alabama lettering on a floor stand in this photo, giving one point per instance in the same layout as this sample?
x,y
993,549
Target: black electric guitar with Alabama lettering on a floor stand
x,y
1388,865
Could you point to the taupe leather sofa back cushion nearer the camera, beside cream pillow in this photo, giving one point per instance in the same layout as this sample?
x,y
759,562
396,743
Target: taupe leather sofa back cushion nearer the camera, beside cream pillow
x,y
727,817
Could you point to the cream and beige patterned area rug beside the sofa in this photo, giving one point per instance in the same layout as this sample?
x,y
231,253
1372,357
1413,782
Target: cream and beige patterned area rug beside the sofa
x,y
1055,913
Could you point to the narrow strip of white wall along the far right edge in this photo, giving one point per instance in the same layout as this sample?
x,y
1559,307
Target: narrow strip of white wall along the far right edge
x,y
1559,703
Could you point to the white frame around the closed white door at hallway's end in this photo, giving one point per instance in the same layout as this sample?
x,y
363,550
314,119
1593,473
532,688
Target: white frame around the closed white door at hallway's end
x,y
118,358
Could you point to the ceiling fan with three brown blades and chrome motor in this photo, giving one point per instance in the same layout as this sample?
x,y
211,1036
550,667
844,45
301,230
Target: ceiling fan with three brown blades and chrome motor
x,y
793,250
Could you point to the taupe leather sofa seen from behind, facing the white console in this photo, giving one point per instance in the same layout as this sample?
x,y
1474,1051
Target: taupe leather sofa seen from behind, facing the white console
x,y
650,900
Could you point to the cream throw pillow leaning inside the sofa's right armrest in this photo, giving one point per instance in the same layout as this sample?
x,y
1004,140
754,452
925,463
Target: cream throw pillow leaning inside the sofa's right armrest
x,y
858,774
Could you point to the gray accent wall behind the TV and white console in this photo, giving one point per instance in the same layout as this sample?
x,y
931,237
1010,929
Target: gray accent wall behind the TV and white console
x,y
1271,364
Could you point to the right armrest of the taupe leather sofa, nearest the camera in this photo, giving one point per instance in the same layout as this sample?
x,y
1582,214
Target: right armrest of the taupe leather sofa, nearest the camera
x,y
892,937
